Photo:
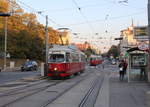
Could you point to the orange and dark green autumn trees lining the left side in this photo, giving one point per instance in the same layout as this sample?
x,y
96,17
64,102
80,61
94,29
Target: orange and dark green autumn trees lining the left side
x,y
26,35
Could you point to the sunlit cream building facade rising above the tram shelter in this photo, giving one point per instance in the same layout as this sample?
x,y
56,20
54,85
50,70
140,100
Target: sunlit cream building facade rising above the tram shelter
x,y
132,37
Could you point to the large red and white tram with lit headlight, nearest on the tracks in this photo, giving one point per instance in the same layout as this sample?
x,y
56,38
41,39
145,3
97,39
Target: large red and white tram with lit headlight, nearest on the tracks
x,y
65,61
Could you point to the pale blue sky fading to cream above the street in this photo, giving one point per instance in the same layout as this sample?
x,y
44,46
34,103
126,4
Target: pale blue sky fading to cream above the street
x,y
95,21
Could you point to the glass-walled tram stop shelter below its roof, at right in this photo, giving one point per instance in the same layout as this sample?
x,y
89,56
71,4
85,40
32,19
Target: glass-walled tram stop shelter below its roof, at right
x,y
138,67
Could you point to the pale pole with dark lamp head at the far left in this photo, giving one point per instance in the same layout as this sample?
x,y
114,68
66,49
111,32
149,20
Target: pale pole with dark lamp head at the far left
x,y
6,15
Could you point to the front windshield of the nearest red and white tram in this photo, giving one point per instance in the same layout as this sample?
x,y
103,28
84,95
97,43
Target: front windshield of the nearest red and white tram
x,y
56,58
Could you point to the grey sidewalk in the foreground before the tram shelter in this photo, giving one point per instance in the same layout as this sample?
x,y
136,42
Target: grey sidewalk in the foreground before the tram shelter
x,y
124,94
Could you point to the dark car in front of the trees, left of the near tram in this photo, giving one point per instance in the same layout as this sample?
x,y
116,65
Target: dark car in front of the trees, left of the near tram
x,y
29,66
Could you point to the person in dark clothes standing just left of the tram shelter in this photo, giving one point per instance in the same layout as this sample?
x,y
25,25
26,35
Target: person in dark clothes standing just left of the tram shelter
x,y
122,69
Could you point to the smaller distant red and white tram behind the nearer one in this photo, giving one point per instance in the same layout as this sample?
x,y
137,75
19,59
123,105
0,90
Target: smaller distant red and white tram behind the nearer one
x,y
95,60
